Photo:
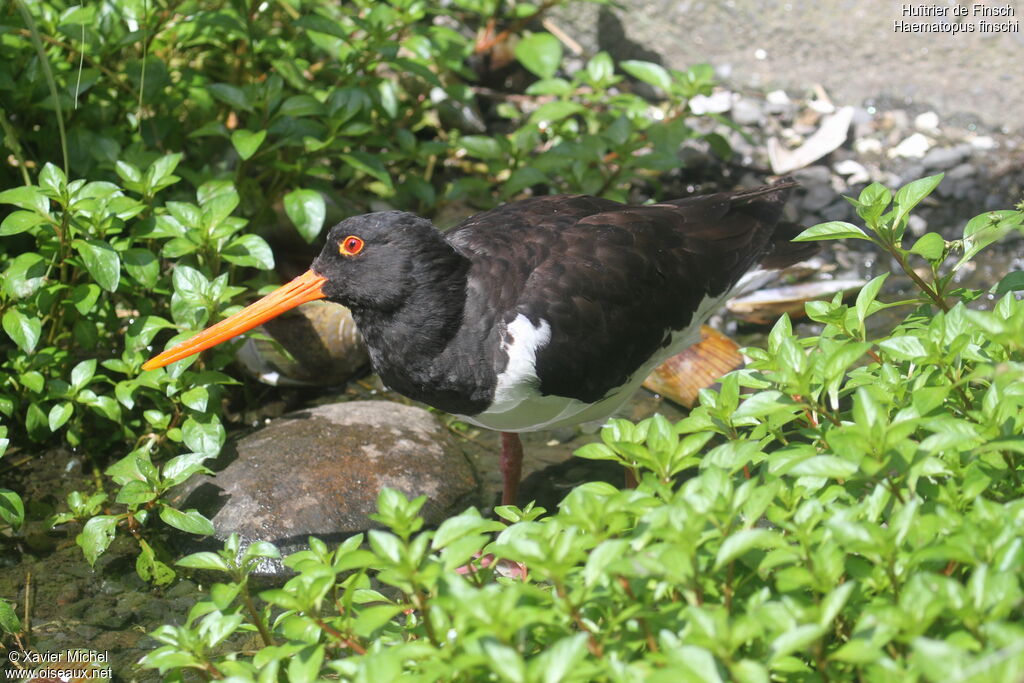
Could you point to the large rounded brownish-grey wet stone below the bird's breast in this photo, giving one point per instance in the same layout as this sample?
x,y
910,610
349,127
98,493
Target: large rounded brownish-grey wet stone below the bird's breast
x,y
319,472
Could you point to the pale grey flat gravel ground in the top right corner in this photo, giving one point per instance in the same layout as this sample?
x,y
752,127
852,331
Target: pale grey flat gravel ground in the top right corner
x,y
851,48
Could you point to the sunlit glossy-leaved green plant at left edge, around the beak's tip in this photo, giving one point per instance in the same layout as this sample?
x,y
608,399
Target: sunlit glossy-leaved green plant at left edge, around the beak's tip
x,y
93,281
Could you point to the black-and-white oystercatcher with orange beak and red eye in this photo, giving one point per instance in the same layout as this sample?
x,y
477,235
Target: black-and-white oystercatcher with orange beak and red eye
x,y
542,313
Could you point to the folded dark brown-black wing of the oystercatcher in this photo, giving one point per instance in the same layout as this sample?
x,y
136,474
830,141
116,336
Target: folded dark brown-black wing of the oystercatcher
x,y
616,285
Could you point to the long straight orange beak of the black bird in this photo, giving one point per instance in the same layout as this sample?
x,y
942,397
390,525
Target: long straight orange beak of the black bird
x,y
305,288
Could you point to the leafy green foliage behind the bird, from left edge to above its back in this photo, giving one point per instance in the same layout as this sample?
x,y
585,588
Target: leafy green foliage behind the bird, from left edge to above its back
x,y
188,133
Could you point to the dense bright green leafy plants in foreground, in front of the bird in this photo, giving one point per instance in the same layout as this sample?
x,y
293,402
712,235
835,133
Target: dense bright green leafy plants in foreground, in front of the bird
x,y
850,511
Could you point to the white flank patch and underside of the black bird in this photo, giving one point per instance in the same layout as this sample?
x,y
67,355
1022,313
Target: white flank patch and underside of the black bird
x,y
519,406
